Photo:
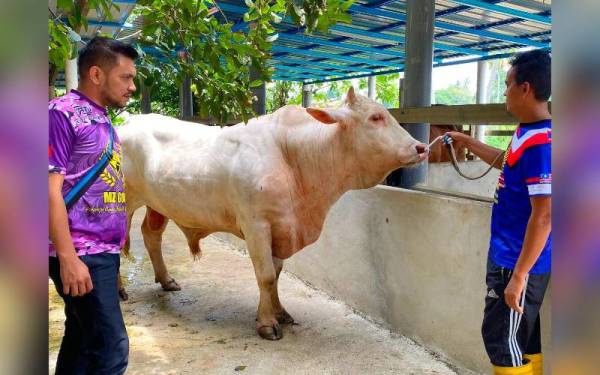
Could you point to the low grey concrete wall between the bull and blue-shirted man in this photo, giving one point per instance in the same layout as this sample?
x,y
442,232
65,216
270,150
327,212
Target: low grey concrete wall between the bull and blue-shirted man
x,y
413,261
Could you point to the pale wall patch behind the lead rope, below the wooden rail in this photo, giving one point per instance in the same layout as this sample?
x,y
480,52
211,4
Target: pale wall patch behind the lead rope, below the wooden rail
x,y
443,176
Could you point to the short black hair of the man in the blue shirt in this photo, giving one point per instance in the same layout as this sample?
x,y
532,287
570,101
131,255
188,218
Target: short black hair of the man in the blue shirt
x,y
534,67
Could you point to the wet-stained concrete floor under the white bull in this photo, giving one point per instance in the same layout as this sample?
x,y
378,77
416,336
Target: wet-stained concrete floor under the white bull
x,y
208,326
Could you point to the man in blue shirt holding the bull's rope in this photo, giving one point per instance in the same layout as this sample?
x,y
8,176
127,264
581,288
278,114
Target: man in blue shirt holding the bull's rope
x,y
518,268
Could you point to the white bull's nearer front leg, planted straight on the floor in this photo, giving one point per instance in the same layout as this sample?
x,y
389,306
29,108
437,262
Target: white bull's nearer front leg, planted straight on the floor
x,y
259,245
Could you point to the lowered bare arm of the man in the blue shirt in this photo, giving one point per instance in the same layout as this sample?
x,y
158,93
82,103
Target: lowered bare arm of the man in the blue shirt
x,y
536,235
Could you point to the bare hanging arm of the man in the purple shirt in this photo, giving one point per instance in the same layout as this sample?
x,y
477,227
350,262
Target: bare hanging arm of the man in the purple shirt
x,y
74,273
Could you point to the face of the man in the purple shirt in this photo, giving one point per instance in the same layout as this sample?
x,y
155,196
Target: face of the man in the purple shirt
x,y
117,85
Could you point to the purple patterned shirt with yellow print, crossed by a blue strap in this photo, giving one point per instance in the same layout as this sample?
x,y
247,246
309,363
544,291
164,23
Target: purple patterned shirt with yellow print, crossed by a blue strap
x,y
79,133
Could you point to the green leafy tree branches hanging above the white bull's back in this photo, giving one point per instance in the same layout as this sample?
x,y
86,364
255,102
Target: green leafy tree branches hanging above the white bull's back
x,y
186,40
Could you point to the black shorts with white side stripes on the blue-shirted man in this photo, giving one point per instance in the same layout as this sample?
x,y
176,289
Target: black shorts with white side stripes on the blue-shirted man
x,y
508,335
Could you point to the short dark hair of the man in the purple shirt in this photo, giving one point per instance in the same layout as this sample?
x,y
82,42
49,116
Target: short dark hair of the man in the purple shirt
x,y
102,52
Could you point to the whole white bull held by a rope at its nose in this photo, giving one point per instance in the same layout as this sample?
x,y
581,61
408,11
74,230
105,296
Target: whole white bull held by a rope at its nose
x,y
270,182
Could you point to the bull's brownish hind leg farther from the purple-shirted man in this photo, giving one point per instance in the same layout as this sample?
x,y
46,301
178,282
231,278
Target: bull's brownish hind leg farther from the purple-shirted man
x,y
152,229
